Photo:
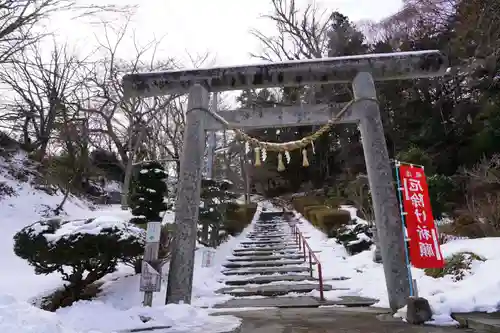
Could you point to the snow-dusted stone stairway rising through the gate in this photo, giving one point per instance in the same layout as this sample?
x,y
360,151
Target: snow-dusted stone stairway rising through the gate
x,y
269,269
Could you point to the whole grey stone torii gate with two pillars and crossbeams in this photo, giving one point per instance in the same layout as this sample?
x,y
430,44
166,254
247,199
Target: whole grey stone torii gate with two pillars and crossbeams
x,y
360,70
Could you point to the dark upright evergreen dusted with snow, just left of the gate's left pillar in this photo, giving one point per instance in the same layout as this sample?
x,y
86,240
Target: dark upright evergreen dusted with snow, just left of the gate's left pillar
x,y
150,191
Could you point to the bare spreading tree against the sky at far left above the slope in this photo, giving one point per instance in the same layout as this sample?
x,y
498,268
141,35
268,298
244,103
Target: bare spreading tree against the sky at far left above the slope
x,y
42,86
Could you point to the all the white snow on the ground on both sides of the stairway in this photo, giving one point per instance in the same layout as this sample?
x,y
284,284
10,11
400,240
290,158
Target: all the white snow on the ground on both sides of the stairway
x,y
119,305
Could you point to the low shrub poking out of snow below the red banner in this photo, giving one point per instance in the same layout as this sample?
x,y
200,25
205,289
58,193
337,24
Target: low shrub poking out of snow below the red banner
x,y
457,266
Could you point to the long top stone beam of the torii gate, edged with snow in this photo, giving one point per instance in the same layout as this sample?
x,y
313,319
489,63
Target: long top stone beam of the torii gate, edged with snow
x,y
382,66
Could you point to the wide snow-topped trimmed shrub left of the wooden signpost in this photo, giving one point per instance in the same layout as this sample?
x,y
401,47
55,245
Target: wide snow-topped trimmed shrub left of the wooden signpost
x,y
82,251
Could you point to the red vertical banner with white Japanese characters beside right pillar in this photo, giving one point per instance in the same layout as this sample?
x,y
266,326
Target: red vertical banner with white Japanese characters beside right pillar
x,y
425,251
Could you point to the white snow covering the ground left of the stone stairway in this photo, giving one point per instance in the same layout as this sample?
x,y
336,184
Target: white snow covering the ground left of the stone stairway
x,y
119,306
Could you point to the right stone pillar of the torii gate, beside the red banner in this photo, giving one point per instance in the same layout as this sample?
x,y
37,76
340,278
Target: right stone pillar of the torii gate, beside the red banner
x,y
380,177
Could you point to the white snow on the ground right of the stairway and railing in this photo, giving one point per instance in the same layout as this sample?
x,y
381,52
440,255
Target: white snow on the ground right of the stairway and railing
x,y
477,292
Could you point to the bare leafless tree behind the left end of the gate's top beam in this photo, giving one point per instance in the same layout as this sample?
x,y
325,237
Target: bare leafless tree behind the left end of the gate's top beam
x,y
125,121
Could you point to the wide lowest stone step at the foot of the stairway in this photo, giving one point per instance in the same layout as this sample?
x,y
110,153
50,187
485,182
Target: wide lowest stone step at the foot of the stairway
x,y
295,302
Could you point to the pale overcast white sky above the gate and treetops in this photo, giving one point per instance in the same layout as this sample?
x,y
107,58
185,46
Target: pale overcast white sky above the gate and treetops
x,y
220,27
